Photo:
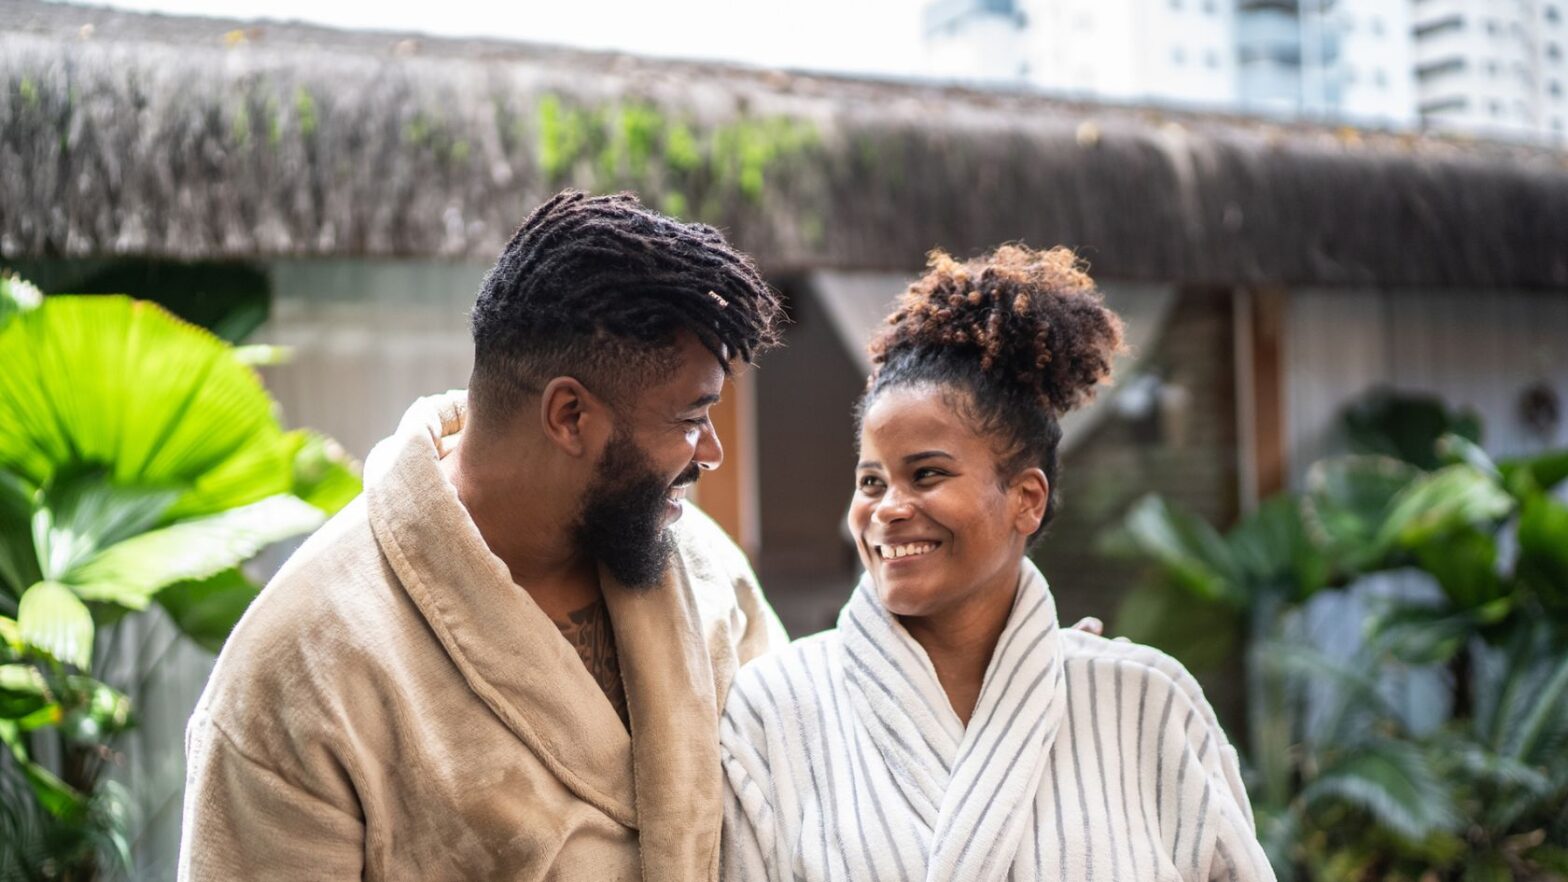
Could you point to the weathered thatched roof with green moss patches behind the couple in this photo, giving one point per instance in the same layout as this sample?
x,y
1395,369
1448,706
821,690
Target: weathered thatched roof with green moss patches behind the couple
x,y
132,134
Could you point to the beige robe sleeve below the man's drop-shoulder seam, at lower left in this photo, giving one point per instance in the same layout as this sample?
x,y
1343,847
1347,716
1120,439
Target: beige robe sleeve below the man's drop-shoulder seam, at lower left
x,y
247,822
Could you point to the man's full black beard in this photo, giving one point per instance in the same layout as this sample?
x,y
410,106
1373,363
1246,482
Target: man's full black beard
x,y
622,525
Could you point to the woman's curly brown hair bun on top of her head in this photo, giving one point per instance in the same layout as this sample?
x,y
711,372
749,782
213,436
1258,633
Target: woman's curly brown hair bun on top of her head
x,y
1031,318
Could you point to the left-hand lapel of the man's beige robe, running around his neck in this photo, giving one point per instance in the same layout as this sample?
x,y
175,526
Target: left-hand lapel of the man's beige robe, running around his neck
x,y
507,649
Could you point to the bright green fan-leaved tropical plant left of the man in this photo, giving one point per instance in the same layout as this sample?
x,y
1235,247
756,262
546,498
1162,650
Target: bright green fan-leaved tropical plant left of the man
x,y
142,464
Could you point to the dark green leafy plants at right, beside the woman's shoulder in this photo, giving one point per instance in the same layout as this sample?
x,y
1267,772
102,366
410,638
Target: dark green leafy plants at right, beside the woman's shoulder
x,y
1456,578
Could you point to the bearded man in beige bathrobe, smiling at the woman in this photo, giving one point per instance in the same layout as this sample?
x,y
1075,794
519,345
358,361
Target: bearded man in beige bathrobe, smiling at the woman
x,y
507,658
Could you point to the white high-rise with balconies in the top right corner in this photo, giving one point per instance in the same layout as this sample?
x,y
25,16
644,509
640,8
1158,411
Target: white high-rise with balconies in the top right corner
x,y
1495,68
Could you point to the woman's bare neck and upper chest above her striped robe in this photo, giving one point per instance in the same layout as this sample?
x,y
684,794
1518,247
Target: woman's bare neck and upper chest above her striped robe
x,y
960,641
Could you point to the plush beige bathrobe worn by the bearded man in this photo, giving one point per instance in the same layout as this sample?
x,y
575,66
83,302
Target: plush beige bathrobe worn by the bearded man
x,y
394,707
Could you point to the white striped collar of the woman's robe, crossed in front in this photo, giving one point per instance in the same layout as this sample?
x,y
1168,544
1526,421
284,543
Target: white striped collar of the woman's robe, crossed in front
x,y
971,787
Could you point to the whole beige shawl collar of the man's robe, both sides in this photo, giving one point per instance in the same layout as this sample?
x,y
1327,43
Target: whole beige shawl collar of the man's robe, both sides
x,y
664,778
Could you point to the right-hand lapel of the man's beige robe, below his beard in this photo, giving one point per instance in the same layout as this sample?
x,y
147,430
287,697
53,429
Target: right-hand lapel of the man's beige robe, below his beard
x,y
675,726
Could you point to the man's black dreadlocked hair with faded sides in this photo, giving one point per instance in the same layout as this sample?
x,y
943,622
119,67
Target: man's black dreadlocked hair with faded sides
x,y
597,288
